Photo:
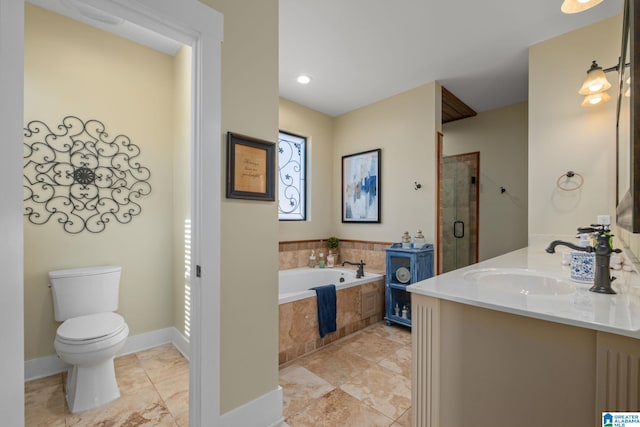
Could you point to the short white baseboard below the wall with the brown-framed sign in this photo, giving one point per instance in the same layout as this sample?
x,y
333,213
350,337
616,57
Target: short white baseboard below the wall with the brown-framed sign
x,y
265,410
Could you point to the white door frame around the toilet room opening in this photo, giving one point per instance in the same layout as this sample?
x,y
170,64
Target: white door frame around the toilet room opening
x,y
189,22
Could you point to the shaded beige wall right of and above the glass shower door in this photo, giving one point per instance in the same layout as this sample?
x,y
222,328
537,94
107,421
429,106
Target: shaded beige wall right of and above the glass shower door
x,y
501,138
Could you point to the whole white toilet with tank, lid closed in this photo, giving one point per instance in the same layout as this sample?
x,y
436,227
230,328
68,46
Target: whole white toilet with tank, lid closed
x,y
91,333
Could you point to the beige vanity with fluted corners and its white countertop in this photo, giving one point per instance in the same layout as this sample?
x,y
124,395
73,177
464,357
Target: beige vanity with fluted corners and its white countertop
x,y
499,351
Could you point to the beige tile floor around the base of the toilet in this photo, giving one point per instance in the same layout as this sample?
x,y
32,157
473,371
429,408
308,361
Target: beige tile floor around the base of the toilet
x,y
154,388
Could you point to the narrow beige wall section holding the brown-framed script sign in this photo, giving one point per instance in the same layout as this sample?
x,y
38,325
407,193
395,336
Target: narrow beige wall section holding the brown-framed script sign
x,y
249,231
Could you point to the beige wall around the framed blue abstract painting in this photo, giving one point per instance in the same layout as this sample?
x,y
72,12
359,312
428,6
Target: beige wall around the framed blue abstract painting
x,y
404,127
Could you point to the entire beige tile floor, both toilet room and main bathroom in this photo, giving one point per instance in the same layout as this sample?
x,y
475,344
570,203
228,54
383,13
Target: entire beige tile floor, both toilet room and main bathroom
x,y
362,380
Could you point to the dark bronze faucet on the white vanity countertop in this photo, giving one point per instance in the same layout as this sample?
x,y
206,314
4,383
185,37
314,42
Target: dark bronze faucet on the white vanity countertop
x,y
602,249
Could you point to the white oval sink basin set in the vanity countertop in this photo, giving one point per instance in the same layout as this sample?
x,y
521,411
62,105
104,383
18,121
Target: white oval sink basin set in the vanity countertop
x,y
520,281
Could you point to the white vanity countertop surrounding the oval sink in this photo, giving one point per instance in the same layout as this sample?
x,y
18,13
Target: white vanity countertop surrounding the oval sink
x,y
618,314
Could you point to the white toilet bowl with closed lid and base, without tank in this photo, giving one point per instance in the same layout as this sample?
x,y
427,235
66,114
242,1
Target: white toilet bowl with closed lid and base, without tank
x,y
88,344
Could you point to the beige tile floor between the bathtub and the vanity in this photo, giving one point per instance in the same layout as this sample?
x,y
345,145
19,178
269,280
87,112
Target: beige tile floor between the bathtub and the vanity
x,y
363,380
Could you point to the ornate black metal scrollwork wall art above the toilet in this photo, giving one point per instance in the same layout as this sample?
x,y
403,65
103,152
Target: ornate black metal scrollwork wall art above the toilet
x,y
79,176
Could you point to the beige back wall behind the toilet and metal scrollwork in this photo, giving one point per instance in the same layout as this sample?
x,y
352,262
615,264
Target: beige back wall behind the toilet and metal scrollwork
x,y
128,88
